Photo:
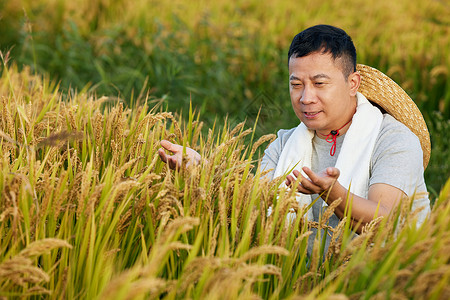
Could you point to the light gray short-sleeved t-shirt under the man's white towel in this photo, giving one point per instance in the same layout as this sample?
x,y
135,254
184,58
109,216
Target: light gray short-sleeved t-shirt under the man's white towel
x,y
397,160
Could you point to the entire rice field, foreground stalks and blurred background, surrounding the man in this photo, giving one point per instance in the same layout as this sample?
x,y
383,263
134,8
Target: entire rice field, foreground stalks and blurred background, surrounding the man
x,y
88,210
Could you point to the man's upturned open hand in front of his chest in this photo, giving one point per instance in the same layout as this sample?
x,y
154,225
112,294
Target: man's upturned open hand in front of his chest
x,y
315,183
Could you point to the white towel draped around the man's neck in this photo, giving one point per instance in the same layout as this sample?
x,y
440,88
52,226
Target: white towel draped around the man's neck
x,y
353,160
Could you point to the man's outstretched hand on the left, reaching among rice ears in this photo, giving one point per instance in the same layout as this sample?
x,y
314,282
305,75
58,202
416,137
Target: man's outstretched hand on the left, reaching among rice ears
x,y
175,161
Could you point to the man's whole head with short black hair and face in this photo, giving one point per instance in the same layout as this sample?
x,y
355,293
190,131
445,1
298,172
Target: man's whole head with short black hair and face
x,y
323,81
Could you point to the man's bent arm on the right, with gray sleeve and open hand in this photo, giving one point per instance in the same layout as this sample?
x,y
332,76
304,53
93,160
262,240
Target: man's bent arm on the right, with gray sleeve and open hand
x,y
396,172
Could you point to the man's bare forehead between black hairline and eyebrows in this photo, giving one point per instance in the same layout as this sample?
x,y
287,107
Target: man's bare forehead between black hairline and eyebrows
x,y
313,64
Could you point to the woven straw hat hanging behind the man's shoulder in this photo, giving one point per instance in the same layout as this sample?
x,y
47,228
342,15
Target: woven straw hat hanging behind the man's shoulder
x,y
382,90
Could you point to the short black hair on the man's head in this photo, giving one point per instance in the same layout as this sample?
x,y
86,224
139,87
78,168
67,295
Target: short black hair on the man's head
x,y
328,39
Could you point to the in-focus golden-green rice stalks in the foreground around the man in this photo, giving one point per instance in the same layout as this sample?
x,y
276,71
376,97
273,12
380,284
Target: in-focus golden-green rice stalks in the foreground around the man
x,y
89,211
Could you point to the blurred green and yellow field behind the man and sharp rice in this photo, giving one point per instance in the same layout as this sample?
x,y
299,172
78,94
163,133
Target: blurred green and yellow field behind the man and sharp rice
x,y
229,58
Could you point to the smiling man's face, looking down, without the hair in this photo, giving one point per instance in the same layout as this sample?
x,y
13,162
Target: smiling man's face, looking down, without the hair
x,y
321,96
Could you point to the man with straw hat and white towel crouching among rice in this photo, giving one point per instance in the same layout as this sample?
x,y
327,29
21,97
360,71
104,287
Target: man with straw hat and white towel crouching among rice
x,y
345,144
